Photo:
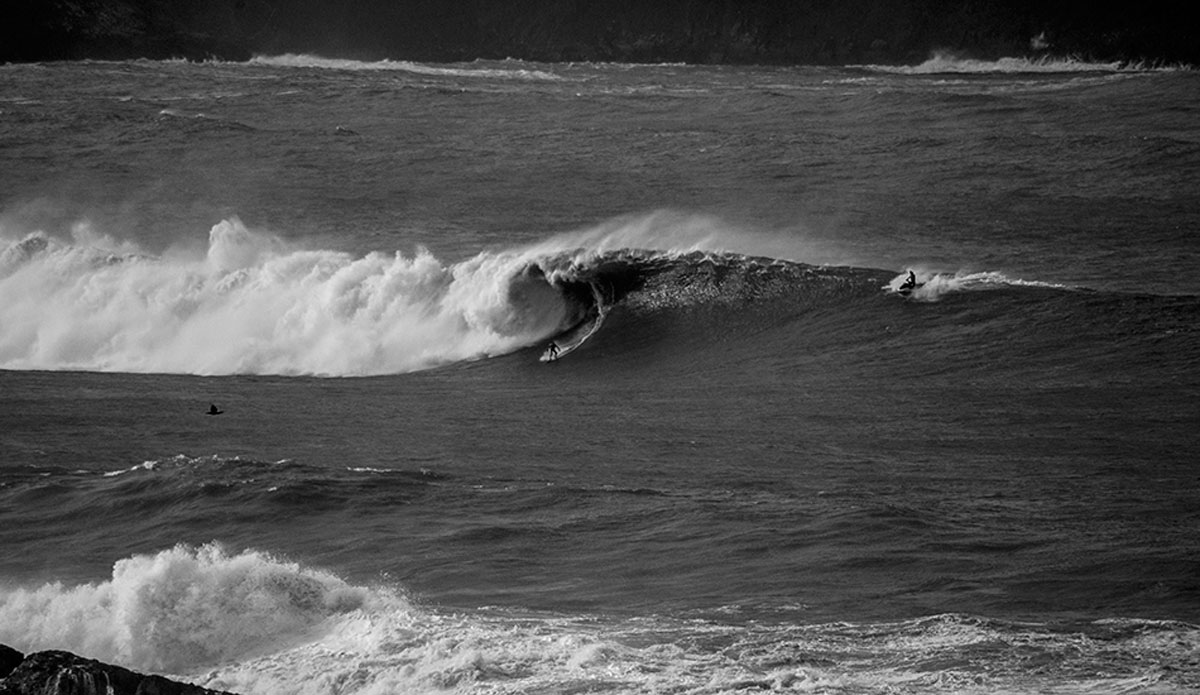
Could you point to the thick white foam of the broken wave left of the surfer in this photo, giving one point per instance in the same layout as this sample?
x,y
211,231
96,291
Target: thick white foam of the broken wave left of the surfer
x,y
253,304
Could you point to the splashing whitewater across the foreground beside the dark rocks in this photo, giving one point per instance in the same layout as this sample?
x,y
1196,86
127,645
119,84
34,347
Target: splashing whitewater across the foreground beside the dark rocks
x,y
251,624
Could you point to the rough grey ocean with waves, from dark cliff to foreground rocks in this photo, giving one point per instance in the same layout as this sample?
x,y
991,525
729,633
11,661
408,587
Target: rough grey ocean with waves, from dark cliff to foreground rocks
x,y
757,464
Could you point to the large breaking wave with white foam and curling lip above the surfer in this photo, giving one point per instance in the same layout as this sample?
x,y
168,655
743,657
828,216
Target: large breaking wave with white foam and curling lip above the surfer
x,y
256,304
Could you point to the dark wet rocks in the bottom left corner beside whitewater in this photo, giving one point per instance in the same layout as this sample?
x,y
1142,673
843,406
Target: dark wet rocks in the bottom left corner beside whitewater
x,y
65,674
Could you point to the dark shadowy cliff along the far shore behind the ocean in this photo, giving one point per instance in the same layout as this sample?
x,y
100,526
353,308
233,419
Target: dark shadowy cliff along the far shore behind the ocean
x,y
770,32
